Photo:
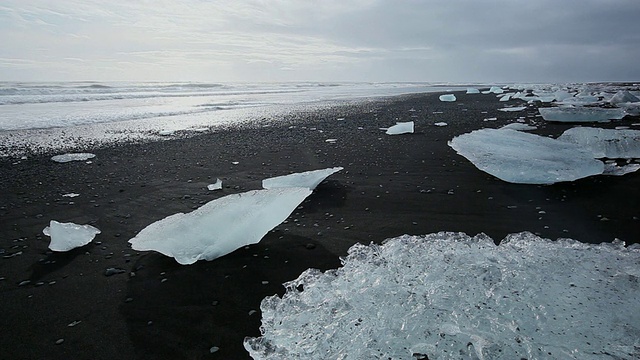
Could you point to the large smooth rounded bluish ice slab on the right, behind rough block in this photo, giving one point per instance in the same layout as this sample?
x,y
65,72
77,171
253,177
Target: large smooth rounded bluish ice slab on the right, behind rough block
x,y
524,158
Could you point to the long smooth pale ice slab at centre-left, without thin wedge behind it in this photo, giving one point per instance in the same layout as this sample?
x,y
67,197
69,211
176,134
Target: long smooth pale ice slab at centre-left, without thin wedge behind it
x,y
220,226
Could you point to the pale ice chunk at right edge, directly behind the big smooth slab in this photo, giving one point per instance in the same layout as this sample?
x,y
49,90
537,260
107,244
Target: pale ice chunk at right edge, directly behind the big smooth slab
x,y
605,143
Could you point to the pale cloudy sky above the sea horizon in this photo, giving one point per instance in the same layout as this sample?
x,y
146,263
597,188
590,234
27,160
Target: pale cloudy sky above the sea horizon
x,y
322,40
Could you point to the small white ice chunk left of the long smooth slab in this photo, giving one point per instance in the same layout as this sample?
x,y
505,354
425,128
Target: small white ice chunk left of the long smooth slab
x,y
67,236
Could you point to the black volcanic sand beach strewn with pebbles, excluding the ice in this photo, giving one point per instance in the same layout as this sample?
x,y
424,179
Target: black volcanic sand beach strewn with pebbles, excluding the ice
x,y
64,306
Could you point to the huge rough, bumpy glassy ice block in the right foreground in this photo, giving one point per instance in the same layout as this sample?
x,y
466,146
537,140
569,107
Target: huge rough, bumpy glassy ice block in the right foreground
x,y
452,296
